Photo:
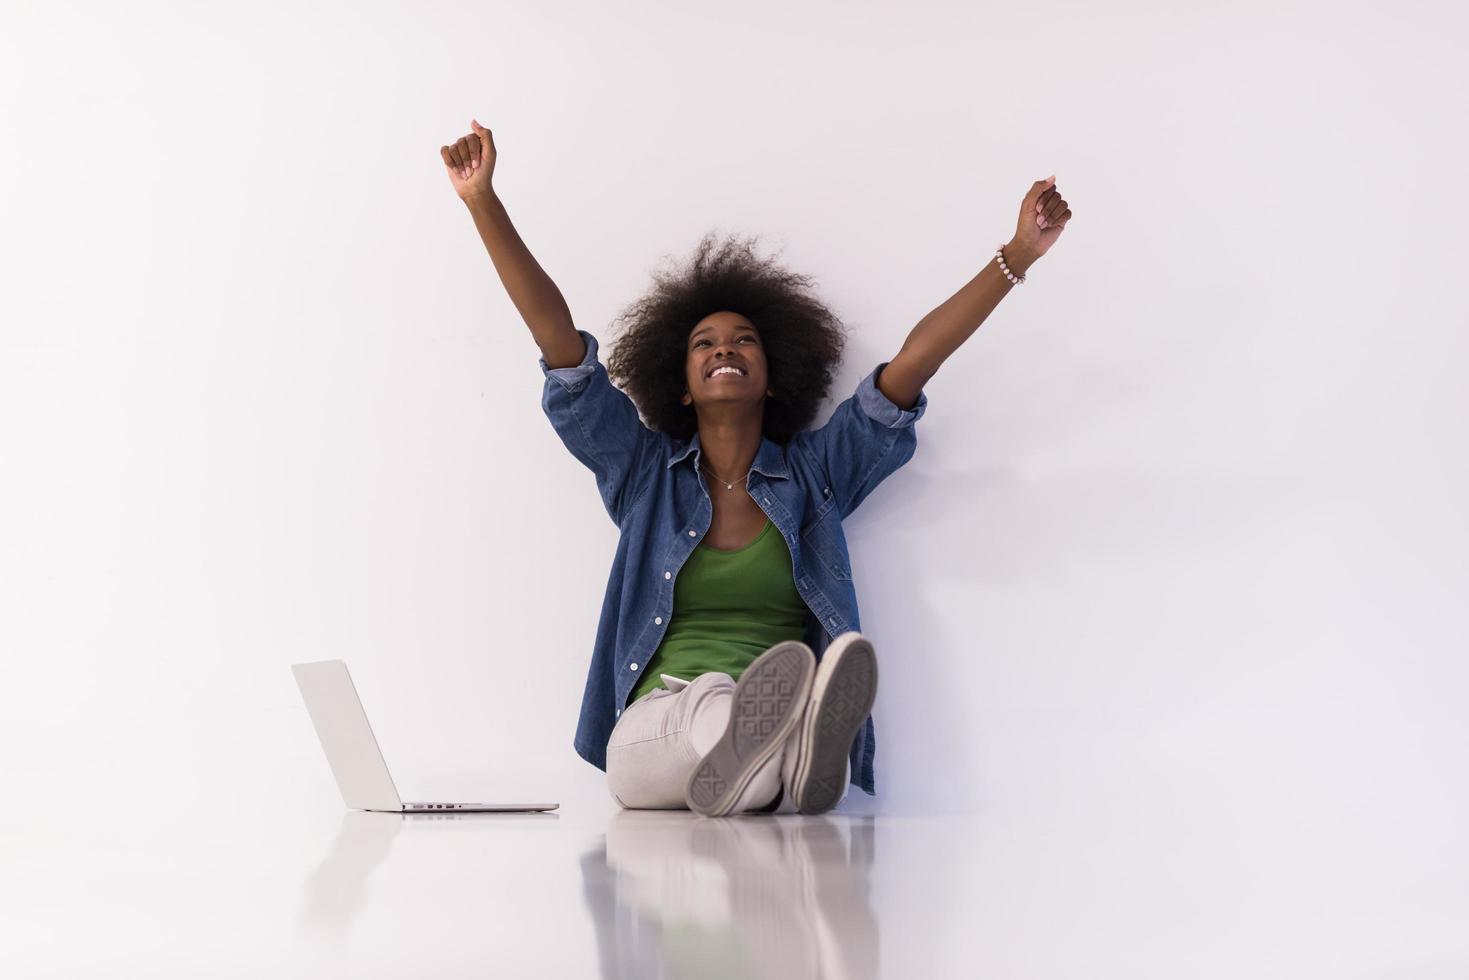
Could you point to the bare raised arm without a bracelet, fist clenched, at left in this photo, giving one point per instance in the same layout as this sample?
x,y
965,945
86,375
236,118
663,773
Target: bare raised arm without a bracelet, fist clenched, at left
x,y
471,164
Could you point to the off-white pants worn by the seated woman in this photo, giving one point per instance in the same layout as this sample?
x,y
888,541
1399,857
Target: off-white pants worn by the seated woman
x,y
662,737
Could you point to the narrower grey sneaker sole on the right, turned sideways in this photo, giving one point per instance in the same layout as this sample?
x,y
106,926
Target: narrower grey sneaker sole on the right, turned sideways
x,y
842,697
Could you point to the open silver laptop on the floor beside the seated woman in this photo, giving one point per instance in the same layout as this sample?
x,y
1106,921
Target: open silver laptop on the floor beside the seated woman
x,y
352,749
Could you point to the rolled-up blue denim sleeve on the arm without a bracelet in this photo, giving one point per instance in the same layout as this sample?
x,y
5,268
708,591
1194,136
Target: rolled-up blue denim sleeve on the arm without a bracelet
x,y
602,427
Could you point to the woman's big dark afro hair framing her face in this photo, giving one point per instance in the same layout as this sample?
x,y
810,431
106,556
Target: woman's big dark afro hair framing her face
x,y
801,337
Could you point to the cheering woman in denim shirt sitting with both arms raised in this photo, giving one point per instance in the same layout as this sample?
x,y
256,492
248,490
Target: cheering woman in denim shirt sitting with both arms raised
x,y
716,682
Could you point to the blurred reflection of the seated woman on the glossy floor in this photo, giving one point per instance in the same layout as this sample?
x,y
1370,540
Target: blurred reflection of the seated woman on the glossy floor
x,y
743,897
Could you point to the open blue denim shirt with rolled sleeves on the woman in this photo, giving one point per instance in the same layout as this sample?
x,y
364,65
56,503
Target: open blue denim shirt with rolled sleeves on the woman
x,y
653,491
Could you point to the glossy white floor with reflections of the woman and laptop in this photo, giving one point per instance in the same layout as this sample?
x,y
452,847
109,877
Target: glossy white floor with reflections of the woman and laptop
x,y
1060,884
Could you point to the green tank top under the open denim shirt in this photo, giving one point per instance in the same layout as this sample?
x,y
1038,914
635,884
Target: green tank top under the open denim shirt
x,y
729,608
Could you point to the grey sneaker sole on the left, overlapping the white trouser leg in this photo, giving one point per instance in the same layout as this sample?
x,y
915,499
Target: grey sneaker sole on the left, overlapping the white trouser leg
x,y
766,707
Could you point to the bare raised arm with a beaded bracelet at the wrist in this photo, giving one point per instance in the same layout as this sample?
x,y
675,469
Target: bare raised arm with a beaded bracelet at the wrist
x,y
1042,218
